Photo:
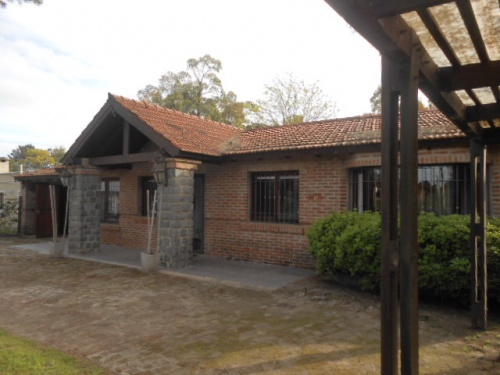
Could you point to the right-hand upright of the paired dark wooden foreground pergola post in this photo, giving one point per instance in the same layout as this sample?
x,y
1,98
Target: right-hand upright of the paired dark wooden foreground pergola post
x,y
408,270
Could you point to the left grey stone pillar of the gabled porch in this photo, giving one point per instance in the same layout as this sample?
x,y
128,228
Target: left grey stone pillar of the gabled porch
x,y
84,226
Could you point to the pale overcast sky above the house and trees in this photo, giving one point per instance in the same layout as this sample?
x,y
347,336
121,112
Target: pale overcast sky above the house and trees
x,y
59,61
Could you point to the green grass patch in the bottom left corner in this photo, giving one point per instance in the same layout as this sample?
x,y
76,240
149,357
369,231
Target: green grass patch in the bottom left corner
x,y
19,356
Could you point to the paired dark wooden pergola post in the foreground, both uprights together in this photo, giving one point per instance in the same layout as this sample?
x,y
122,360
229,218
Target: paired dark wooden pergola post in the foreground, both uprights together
x,y
400,252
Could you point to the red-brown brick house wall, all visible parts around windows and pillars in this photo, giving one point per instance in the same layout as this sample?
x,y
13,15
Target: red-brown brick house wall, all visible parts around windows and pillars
x,y
229,233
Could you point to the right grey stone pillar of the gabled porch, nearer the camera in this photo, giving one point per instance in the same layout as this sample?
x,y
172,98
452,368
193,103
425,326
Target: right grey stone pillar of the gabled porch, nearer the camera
x,y
176,213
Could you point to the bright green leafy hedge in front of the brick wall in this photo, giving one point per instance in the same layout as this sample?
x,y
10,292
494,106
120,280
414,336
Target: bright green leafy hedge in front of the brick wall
x,y
348,243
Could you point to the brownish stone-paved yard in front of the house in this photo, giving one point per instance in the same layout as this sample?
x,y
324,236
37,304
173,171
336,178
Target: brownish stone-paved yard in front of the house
x,y
131,323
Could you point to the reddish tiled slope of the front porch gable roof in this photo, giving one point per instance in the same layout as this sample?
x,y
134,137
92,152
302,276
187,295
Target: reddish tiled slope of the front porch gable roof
x,y
188,133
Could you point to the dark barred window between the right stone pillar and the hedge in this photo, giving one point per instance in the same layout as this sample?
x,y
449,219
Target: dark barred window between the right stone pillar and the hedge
x,y
275,197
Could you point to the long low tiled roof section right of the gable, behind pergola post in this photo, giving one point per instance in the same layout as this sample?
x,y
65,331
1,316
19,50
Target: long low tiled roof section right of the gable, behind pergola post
x,y
350,131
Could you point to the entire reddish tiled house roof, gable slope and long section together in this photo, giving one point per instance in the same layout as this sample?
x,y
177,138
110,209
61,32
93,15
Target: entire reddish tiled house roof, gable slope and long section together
x,y
197,135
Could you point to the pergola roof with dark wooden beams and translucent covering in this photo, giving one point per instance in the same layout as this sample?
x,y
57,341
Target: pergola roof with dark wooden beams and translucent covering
x,y
459,52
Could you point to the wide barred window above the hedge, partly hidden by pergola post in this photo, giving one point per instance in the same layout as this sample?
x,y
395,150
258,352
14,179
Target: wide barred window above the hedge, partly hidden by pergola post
x,y
442,189
